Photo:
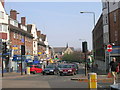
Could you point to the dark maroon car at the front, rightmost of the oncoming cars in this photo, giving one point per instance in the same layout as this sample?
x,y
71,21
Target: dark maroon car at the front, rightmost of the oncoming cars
x,y
66,69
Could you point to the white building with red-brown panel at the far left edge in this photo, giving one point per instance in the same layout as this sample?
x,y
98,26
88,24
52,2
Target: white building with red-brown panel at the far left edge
x,y
4,35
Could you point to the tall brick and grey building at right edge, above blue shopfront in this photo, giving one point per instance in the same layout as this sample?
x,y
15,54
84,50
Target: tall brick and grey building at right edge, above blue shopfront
x,y
111,33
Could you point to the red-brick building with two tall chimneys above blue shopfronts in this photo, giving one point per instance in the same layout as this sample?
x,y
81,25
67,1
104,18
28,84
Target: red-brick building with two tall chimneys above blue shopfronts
x,y
19,36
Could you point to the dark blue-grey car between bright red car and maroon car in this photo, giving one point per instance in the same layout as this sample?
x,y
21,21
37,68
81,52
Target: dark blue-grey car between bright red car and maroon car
x,y
50,69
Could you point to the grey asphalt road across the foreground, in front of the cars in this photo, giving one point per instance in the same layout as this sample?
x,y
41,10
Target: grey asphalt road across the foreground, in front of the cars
x,y
47,81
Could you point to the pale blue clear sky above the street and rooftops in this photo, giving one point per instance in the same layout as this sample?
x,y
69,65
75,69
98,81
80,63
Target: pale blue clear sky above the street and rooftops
x,y
62,22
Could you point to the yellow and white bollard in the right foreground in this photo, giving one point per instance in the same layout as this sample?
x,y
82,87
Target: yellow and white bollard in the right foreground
x,y
92,80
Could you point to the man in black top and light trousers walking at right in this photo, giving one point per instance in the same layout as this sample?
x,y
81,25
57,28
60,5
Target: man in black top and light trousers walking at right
x,y
113,65
